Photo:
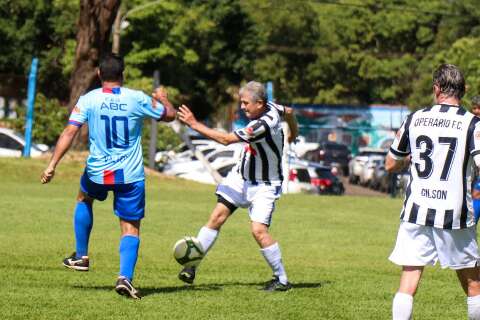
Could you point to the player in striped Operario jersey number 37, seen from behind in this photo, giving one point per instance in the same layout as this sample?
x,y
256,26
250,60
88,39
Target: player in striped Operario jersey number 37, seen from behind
x,y
441,144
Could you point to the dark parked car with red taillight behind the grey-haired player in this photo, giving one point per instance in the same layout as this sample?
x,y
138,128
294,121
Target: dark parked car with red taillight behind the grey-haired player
x,y
330,154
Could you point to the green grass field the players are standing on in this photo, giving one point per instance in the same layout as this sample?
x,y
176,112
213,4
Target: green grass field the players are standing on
x,y
335,251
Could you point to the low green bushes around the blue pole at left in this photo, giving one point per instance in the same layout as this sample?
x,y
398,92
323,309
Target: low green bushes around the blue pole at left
x,y
50,118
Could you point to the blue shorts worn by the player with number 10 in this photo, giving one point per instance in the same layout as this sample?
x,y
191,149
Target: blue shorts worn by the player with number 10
x,y
128,201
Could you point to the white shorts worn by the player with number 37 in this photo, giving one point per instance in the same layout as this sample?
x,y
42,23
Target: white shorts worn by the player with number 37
x,y
419,245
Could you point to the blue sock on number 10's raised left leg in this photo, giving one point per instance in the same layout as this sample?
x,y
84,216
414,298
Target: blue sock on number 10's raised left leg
x,y
83,222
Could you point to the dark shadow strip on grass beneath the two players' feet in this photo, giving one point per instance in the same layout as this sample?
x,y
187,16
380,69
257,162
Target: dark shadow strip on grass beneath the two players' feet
x,y
146,291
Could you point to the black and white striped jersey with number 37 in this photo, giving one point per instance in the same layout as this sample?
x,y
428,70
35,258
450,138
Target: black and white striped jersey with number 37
x,y
443,141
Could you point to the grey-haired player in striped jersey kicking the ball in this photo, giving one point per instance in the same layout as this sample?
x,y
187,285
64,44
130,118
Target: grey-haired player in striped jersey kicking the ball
x,y
255,182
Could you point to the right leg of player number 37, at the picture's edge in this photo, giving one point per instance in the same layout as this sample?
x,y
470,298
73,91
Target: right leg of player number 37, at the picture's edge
x,y
470,281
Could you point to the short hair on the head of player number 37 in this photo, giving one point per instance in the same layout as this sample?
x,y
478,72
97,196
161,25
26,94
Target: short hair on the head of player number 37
x,y
450,80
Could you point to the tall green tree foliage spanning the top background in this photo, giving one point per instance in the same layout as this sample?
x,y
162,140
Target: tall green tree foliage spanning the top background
x,y
314,51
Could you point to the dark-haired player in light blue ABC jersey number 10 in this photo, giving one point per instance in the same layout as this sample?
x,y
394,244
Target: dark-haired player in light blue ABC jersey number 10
x,y
115,117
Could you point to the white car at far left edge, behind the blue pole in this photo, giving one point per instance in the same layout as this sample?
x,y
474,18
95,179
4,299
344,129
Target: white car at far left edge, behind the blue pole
x,y
12,145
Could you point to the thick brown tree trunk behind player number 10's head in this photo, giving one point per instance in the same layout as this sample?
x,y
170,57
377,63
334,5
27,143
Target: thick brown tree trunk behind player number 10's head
x,y
93,35
